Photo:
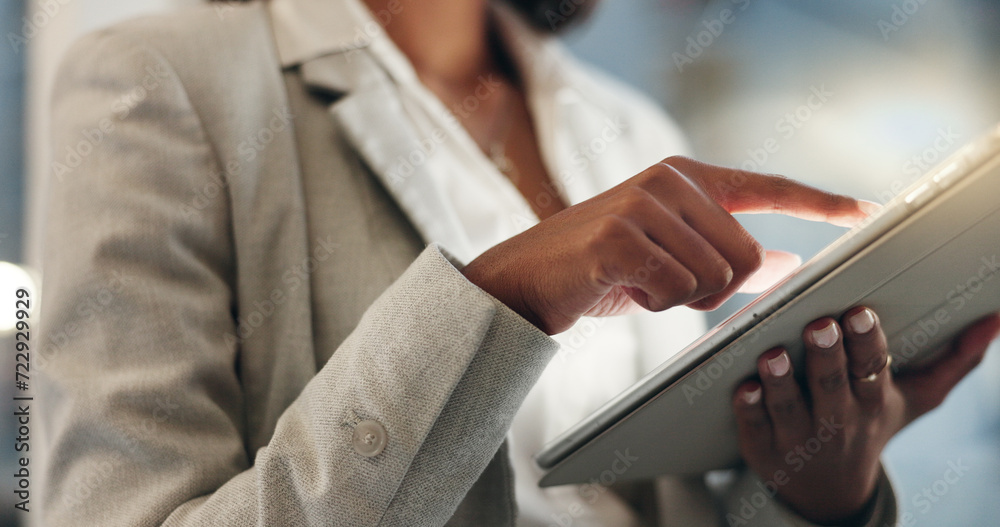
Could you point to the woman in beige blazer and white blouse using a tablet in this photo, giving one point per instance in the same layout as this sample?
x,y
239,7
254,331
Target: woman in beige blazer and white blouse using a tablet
x,y
244,327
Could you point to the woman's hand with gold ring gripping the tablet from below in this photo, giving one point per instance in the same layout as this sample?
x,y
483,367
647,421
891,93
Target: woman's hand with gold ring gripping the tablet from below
x,y
828,443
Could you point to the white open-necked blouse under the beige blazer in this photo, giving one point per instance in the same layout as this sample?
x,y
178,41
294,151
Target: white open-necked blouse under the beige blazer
x,y
587,146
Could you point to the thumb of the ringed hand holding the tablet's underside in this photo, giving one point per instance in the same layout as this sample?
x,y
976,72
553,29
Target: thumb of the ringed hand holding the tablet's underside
x,y
927,387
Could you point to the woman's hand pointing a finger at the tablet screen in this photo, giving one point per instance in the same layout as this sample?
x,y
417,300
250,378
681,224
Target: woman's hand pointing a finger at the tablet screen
x,y
663,238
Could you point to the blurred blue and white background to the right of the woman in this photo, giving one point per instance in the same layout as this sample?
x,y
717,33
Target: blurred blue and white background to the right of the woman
x,y
906,83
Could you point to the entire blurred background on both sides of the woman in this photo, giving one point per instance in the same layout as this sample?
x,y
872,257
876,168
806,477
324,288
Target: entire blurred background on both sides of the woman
x,y
859,97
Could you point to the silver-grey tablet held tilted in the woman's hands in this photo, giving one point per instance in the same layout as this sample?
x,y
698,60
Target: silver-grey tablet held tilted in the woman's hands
x,y
927,263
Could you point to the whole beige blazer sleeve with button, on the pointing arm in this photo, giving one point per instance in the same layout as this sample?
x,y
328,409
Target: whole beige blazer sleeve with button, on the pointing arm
x,y
142,405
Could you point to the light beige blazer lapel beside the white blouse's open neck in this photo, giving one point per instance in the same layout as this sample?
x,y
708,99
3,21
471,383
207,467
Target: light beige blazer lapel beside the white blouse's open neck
x,y
368,109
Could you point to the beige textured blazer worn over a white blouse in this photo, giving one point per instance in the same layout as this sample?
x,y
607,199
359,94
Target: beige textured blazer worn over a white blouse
x,y
180,378
